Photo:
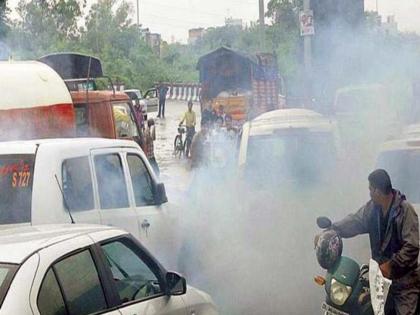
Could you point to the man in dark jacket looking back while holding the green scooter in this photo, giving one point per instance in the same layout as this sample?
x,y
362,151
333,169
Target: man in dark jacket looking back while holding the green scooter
x,y
393,229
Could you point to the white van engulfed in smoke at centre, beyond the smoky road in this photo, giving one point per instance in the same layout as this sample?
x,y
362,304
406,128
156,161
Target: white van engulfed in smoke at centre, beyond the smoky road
x,y
287,145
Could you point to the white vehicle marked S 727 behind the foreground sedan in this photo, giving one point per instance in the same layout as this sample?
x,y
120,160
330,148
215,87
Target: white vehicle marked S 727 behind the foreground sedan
x,y
87,180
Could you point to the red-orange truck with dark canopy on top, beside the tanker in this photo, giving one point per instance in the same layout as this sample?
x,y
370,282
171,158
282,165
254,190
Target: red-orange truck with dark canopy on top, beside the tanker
x,y
98,113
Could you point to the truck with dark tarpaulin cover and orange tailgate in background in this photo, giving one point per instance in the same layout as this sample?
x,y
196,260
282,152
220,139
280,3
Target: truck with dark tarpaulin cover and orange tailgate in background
x,y
245,86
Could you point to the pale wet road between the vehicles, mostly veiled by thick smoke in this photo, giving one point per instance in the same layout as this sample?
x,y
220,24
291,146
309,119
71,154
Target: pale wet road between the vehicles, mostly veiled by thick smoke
x,y
253,254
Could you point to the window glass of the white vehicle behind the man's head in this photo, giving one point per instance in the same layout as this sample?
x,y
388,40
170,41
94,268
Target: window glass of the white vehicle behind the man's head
x,y
404,169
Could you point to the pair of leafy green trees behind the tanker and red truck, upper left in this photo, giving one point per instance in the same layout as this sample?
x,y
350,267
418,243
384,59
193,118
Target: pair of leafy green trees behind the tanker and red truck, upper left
x,y
52,26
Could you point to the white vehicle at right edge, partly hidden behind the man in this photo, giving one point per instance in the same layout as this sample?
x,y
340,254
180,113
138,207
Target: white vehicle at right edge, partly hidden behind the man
x,y
401,159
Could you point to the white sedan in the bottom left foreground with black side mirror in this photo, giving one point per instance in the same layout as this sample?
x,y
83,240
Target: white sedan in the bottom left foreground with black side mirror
x,y
89,269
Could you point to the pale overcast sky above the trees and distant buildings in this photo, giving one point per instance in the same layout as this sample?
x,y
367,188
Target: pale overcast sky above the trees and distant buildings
x,y
173,18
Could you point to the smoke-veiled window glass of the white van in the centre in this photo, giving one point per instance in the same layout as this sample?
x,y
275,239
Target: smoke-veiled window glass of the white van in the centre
x,y
298,156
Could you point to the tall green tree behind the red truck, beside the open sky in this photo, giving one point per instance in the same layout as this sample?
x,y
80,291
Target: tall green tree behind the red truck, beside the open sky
x,y
111,36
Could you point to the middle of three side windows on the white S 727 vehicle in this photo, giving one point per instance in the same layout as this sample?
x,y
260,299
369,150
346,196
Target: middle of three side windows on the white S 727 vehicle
x,y
111,181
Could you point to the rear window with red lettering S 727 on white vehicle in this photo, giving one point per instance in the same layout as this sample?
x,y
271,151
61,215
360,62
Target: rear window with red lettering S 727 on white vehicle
x,y
16,174
